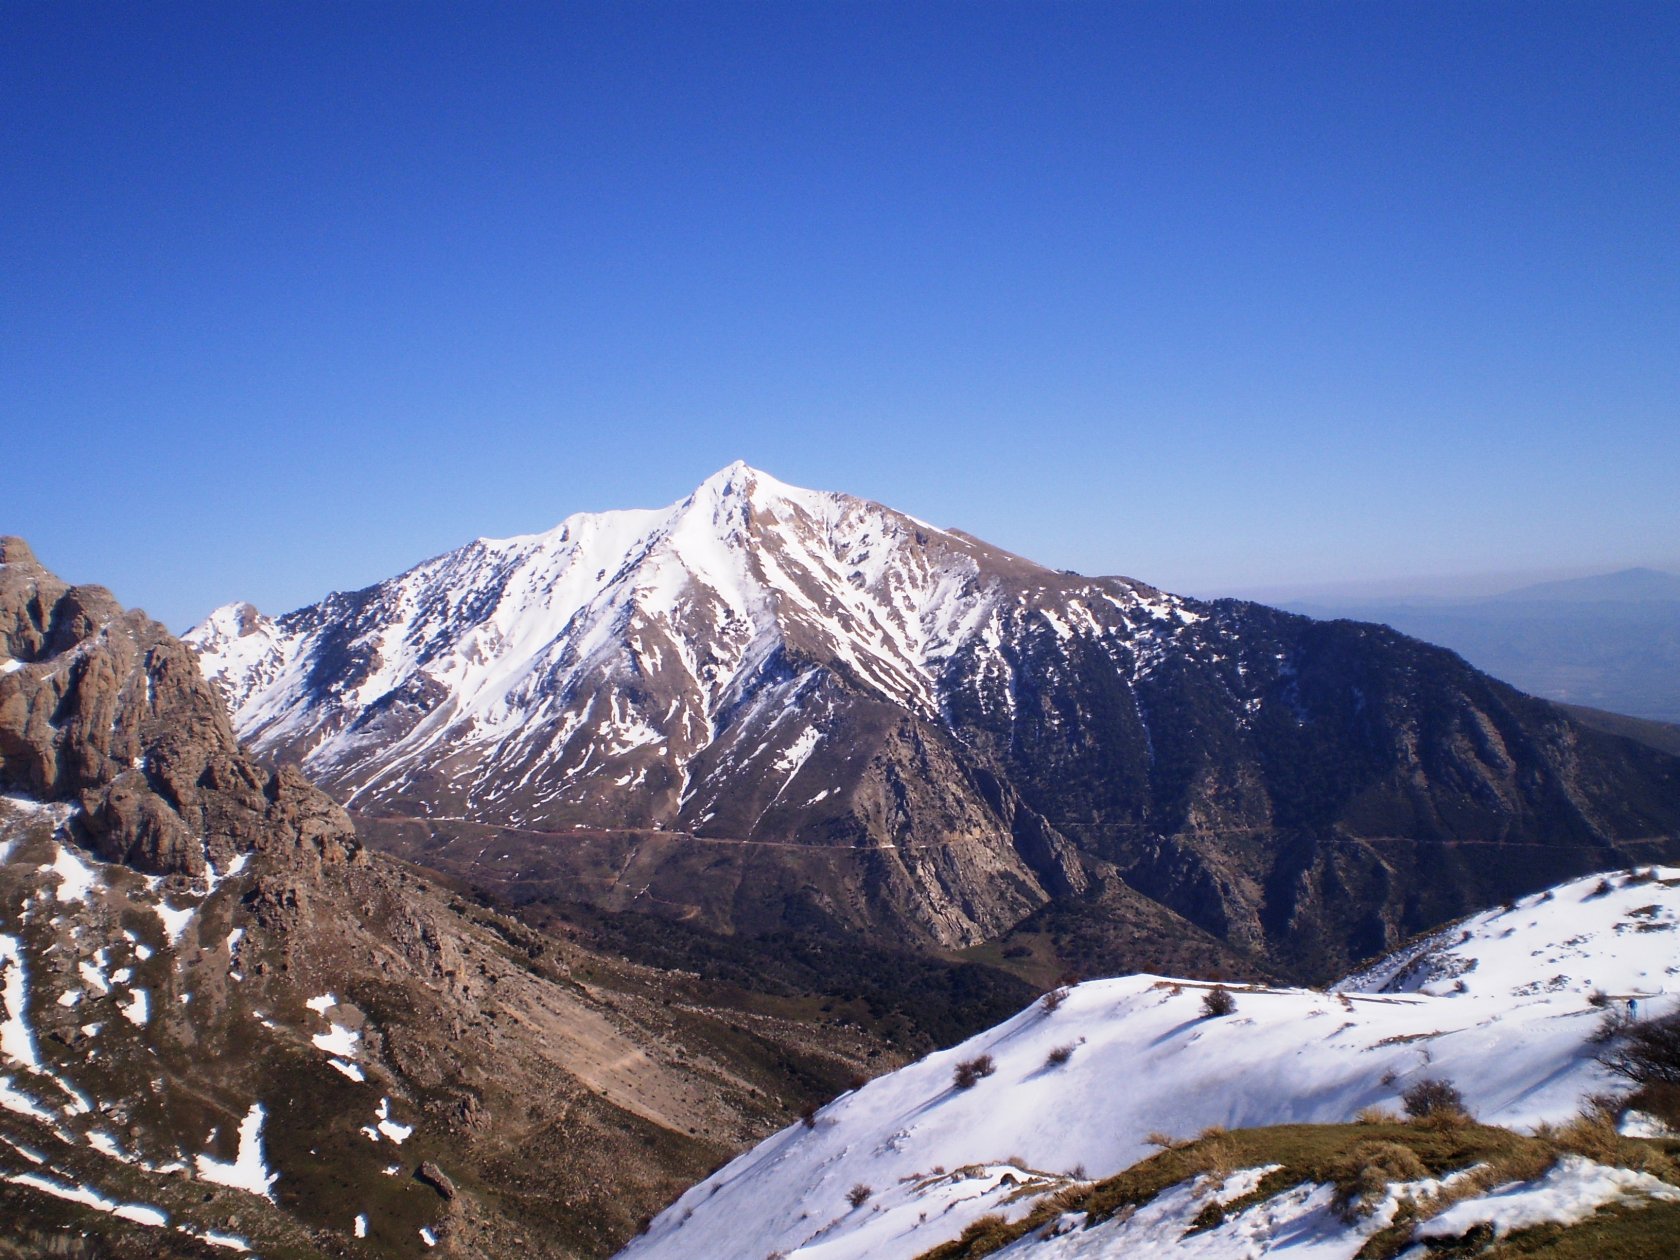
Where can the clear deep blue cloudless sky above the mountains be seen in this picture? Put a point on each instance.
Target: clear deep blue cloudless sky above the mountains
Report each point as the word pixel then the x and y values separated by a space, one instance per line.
pixel 1219 297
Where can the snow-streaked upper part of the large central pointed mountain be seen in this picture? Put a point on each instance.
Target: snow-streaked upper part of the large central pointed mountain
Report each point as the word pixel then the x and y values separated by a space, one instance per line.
pixel 491 658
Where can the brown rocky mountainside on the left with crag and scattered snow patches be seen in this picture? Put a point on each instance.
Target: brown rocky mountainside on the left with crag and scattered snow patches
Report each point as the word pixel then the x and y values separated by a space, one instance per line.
pixel 226 1026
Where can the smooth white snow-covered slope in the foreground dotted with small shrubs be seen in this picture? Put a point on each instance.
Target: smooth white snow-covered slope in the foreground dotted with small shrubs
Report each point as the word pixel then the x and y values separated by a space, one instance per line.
pixel 1503 1005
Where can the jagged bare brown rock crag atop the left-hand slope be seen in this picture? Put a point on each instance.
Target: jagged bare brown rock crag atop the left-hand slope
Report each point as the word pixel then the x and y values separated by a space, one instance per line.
pixel 107 710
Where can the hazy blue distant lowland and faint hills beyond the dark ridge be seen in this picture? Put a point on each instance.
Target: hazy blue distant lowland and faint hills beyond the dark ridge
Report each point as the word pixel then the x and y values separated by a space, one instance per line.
pixel 1607 643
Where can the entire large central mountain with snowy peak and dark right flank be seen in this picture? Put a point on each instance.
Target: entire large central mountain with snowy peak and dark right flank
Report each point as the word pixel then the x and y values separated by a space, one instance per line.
pixel 767 706
